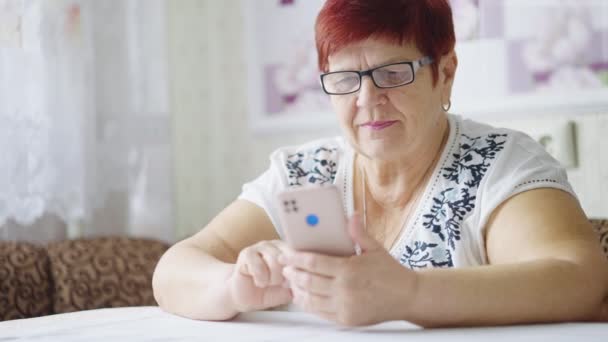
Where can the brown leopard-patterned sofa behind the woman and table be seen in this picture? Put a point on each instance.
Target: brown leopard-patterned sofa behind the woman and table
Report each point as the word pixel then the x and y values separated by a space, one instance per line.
pixel 88 274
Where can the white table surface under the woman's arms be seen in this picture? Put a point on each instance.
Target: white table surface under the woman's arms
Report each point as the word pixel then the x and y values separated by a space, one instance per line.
pixel 152 324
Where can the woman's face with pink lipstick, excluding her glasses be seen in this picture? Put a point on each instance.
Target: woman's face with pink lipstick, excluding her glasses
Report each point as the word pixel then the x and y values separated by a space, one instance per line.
pixel 391 123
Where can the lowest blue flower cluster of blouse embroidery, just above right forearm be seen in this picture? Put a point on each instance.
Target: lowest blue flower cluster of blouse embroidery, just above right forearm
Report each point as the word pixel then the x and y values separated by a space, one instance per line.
pixel 423 254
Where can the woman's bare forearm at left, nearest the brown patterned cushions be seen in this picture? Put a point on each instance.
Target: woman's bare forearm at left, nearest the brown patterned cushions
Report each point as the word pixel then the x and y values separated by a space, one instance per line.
pixel 190 283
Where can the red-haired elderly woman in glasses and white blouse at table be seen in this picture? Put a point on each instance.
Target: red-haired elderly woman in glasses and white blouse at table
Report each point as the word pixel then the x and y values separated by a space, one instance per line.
pixel 460 223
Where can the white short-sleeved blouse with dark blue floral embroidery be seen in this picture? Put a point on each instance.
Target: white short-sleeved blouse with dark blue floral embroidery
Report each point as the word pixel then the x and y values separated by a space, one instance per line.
pixel 480 167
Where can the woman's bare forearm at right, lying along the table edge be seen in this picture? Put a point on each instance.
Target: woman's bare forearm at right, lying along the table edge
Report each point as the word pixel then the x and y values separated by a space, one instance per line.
pixel 539 291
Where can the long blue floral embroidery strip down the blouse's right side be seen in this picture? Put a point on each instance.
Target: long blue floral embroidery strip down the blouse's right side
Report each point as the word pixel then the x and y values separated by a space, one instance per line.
pixel 455 201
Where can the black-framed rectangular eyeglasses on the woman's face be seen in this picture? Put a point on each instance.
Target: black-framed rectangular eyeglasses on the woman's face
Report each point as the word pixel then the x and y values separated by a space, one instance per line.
pixel 385 76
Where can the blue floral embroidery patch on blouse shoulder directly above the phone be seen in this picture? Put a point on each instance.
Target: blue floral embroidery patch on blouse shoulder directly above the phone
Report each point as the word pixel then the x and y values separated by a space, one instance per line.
pixel 315 167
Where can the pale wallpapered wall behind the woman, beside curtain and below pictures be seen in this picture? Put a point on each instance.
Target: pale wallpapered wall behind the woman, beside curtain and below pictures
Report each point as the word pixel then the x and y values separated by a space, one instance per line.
pixel 214 150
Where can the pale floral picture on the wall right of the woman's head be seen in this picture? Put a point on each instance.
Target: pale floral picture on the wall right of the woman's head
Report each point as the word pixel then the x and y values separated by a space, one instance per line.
pixel 522 58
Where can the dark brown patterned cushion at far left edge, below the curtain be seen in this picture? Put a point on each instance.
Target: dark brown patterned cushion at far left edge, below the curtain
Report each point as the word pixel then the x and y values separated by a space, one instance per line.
pixel 25 284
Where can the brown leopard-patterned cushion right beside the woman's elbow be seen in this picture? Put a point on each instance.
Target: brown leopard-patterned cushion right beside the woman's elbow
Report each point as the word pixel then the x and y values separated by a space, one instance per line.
pixel 103 272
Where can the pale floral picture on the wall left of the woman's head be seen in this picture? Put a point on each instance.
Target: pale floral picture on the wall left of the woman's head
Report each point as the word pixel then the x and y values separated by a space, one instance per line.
pixel 284 90
